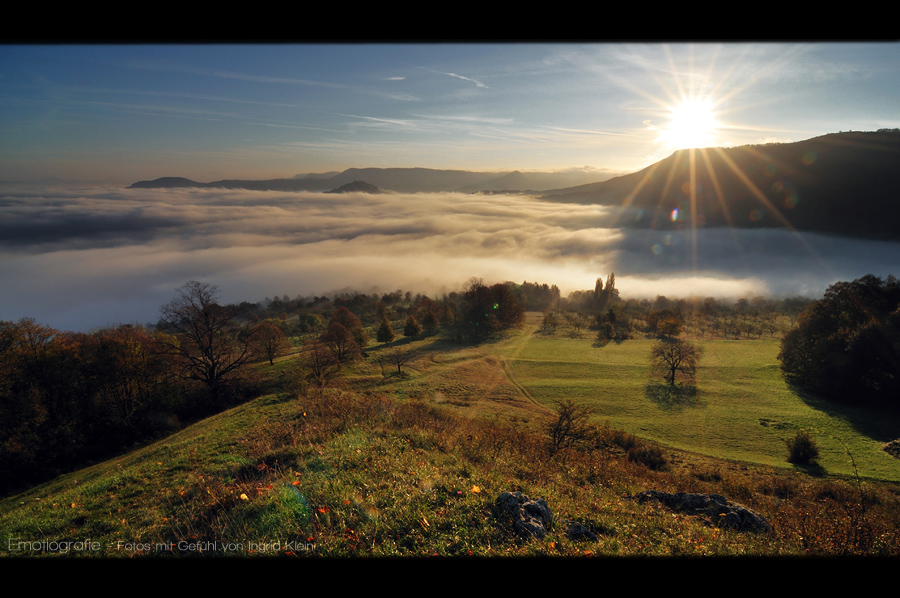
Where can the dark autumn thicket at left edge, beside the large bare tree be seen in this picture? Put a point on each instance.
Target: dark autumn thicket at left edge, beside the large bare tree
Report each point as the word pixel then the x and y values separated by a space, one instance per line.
pixel 66 397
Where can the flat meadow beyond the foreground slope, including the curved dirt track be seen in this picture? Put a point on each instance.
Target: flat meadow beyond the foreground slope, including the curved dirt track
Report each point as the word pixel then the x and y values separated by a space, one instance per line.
pixel 740 408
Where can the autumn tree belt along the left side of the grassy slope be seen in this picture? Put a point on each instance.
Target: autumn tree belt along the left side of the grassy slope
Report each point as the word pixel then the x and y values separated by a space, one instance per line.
pixel 67 398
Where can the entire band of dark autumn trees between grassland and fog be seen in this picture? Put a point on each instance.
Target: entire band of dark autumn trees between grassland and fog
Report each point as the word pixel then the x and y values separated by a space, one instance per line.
pixel 67 398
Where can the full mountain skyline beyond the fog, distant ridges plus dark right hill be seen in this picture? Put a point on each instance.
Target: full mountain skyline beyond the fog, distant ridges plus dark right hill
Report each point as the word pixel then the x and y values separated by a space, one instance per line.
pixel 844 184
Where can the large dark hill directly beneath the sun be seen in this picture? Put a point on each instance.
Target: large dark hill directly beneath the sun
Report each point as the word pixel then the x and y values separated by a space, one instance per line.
pixel 844 183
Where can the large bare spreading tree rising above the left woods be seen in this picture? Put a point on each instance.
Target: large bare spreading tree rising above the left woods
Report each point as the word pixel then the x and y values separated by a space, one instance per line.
pixel 204 336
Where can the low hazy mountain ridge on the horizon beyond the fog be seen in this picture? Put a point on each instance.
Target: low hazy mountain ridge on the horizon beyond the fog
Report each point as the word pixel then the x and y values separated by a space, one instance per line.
pixel 401 180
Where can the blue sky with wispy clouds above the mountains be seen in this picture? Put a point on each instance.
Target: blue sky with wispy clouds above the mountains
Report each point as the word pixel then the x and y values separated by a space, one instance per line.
pixel 117 114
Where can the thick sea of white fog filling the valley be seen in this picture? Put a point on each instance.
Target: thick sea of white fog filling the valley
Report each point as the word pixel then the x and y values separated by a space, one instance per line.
pixel 82 258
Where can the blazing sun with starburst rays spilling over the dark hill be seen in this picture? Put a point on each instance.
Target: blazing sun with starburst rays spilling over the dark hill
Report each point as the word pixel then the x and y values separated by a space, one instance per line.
pixel 690 103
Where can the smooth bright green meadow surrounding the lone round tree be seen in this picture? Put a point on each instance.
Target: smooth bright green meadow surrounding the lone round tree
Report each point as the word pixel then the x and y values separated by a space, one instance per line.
pixel 741 407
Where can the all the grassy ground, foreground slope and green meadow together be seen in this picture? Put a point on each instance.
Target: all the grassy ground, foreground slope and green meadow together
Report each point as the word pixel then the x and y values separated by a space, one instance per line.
pixel 387 463
